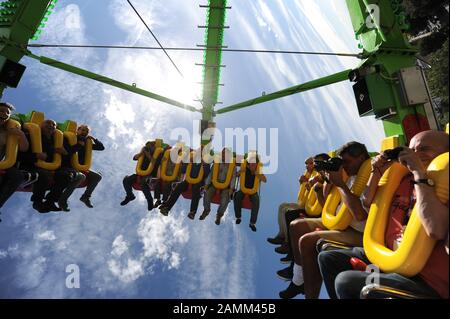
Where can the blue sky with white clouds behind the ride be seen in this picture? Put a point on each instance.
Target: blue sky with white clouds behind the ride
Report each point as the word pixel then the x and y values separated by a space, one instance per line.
pixel 128 252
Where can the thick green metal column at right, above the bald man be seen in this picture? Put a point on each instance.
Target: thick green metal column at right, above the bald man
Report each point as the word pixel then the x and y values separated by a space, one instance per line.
pixel 380 27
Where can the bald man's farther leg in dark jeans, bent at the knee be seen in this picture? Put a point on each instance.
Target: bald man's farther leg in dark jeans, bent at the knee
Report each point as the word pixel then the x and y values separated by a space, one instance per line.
pixel 333 262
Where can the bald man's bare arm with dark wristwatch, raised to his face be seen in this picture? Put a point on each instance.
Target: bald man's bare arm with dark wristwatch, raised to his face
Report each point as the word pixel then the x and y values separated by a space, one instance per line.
pixel 432 212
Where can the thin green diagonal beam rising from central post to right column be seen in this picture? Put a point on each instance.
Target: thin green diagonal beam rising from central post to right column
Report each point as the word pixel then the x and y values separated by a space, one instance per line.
pixel 334 78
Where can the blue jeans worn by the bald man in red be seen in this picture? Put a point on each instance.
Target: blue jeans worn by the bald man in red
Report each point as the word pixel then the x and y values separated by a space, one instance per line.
pixel 342 282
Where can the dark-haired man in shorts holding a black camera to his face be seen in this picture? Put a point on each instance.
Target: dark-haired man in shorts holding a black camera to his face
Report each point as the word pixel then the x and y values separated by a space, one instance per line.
pixel 304 233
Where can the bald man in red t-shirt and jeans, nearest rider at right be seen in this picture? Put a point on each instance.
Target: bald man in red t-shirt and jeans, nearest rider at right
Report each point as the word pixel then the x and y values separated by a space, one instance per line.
pixel 344 283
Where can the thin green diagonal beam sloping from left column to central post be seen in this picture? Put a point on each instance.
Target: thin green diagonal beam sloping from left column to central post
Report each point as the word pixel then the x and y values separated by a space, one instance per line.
pixel 109 81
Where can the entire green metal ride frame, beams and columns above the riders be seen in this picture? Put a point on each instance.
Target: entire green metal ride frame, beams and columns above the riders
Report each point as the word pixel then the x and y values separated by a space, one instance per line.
pixel 385 51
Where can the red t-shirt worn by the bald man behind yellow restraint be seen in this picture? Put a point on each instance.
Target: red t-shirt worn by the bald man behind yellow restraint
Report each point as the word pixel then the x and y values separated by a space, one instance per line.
pixel 435 271
